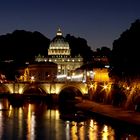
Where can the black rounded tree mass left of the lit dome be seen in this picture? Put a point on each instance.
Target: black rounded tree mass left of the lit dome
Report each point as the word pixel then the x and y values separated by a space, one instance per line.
pixel 22 46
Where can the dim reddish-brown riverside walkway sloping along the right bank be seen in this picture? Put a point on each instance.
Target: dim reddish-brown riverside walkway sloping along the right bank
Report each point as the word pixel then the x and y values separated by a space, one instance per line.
pixel 119 114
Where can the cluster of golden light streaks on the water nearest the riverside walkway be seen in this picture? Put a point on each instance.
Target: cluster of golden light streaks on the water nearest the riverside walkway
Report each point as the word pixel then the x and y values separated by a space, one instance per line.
pixel 88 130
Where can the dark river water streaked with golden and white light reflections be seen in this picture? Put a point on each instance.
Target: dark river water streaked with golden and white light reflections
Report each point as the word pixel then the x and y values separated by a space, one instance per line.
pixel 38 121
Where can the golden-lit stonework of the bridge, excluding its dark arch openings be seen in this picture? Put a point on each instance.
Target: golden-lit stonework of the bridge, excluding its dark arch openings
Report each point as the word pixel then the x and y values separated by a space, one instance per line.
pixel 47 87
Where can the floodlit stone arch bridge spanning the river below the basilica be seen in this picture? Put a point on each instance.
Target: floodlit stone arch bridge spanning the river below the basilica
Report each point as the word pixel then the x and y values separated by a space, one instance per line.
pixel 43 87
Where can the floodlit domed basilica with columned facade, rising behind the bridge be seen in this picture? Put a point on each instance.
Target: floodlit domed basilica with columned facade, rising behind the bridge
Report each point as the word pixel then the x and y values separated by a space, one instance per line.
pixel 59 52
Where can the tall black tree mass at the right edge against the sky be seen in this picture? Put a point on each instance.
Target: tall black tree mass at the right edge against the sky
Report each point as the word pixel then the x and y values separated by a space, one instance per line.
pixel 125 53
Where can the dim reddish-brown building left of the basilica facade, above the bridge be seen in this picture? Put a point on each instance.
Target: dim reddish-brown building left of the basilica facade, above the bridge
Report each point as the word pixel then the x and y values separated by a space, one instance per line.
pixel 39 72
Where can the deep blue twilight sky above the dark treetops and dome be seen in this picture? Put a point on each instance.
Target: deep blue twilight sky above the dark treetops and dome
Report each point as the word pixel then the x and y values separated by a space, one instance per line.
pixel 100 22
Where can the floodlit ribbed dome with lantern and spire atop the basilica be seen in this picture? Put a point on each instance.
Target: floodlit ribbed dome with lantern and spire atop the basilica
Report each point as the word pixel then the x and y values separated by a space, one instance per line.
pixel 59 46
